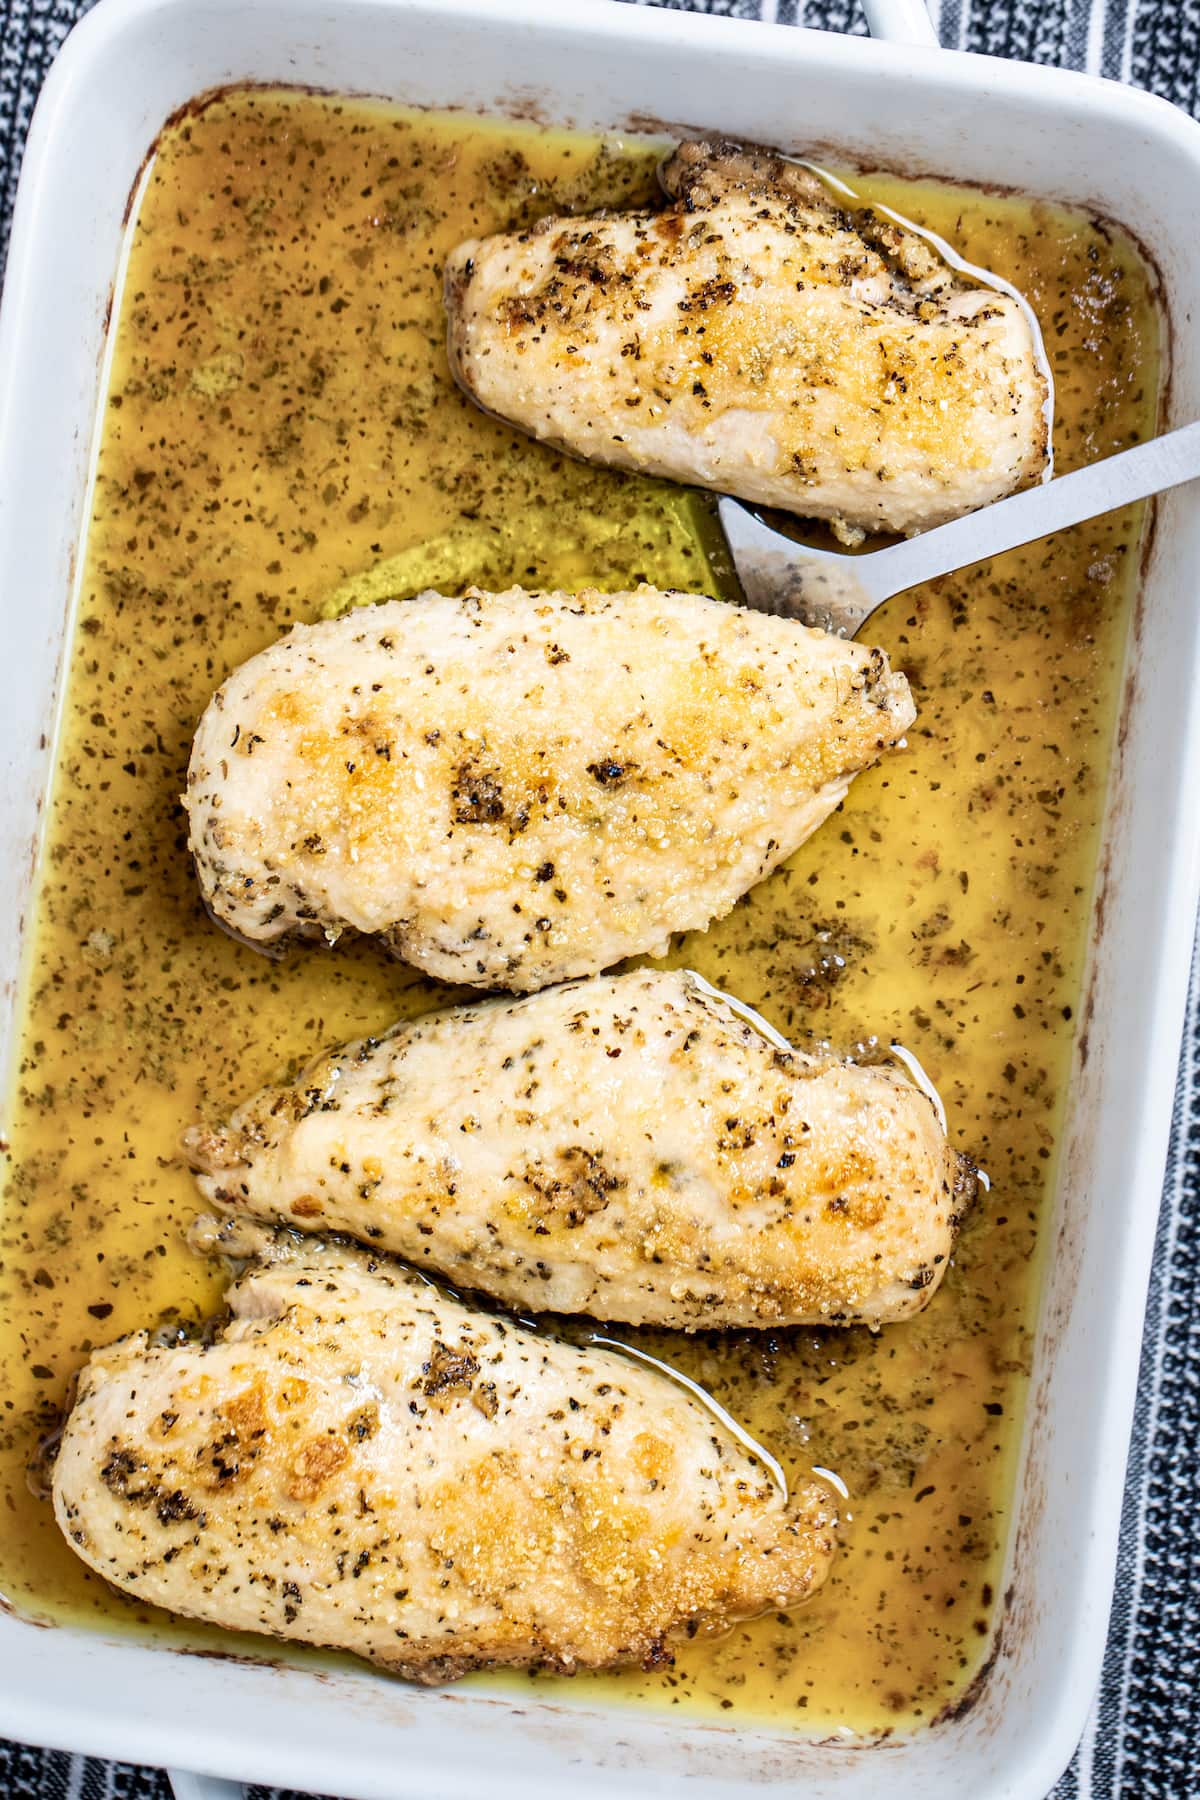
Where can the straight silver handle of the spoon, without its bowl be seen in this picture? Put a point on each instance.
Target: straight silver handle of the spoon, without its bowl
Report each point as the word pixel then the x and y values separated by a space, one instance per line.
pixel 1068 501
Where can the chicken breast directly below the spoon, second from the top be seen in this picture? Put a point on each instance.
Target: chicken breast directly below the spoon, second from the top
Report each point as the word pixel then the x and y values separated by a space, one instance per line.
pixel 514 789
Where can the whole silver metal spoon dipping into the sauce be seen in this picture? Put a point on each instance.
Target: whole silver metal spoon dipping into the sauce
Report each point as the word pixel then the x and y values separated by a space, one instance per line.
pixel 839 591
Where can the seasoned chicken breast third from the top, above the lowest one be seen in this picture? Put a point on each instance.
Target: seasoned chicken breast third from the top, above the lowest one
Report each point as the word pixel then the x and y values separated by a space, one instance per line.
pixel 629 1147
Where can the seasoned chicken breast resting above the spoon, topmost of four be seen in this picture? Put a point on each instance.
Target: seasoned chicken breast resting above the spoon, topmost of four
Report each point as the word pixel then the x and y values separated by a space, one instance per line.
pixel 757 339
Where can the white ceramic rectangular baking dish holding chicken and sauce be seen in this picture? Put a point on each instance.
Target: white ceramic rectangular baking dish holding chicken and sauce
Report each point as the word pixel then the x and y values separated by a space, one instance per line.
pixel 1138 161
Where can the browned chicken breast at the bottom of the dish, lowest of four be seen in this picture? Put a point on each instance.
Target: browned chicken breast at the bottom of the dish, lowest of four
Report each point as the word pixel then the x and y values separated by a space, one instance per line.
pixel 364 1464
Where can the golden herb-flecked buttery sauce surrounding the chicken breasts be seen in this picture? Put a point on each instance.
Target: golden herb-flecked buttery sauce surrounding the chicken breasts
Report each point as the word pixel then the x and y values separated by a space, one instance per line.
pixel 280 418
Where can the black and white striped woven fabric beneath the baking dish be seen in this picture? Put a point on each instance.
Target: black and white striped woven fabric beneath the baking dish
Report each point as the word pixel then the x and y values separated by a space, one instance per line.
pixel 1143 1740
